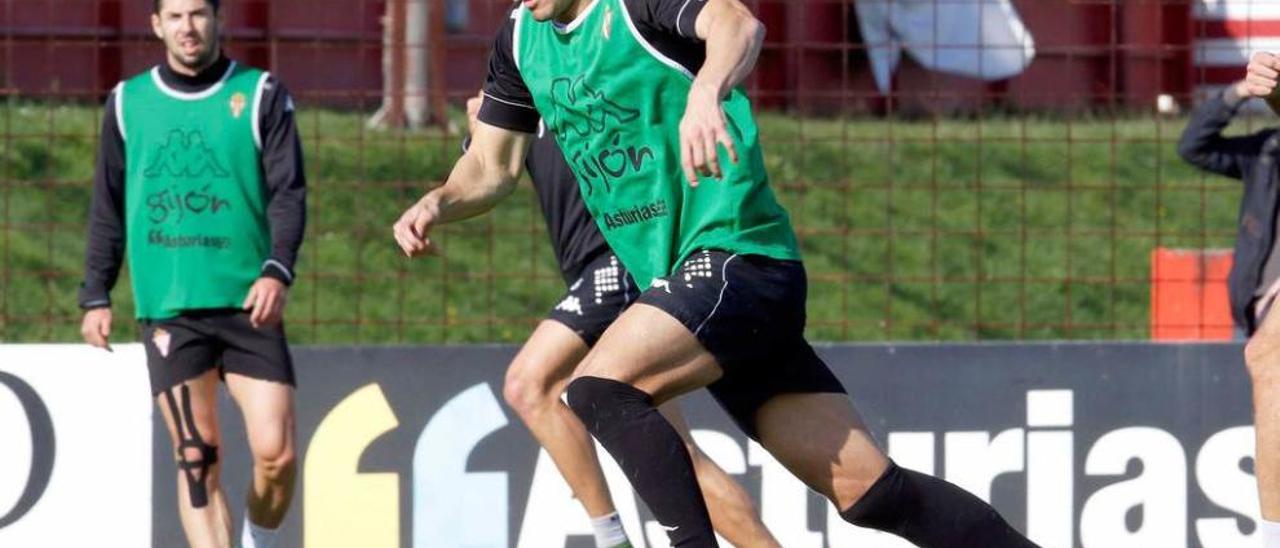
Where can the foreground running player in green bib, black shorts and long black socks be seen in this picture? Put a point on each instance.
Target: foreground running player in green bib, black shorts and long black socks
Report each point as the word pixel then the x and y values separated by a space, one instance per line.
pixel 643 99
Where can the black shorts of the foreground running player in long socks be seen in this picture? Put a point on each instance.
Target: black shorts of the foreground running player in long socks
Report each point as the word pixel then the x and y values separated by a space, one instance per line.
pixel 749 313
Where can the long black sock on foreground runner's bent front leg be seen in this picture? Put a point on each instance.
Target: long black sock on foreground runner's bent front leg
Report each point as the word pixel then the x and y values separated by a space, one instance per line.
pixel 651 454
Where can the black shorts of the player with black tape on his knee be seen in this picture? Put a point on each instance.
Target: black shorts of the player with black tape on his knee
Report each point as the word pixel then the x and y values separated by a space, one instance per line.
pixel 185 348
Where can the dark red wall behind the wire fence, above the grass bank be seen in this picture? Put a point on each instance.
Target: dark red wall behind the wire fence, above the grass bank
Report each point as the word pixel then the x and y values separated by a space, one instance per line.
pixel 1089 54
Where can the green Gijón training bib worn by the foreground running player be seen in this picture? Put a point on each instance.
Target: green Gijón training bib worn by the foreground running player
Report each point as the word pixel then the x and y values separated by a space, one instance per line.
pixel 615 106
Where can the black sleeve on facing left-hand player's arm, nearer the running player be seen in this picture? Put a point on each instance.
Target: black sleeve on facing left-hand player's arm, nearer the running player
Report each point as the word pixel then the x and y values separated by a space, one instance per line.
pixel 286 181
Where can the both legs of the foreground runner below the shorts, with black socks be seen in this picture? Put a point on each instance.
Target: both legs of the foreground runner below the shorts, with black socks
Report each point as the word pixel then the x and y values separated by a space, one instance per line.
pixel 648 357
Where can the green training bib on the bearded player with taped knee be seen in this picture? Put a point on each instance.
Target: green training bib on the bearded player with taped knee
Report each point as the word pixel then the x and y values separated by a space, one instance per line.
pixel 195 202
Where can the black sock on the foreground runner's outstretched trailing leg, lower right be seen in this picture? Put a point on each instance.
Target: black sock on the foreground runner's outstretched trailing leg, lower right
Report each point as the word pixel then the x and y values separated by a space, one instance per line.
pixel 931 513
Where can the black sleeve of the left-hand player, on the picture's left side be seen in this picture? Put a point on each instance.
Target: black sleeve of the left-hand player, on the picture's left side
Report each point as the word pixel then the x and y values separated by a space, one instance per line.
pixel 104 253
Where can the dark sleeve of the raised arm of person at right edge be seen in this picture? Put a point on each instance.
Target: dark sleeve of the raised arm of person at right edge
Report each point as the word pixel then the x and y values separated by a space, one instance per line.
pixel 1204 147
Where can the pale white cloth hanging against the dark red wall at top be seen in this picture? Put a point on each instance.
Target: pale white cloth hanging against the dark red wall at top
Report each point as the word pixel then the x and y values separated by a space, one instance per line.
pixel 980 39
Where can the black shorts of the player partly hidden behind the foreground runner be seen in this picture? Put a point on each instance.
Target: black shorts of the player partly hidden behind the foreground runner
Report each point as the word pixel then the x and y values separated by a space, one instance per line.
pixel 597 299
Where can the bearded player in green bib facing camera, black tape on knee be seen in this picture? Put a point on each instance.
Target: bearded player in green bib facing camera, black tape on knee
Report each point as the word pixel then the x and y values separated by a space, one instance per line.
pixel 200 184
